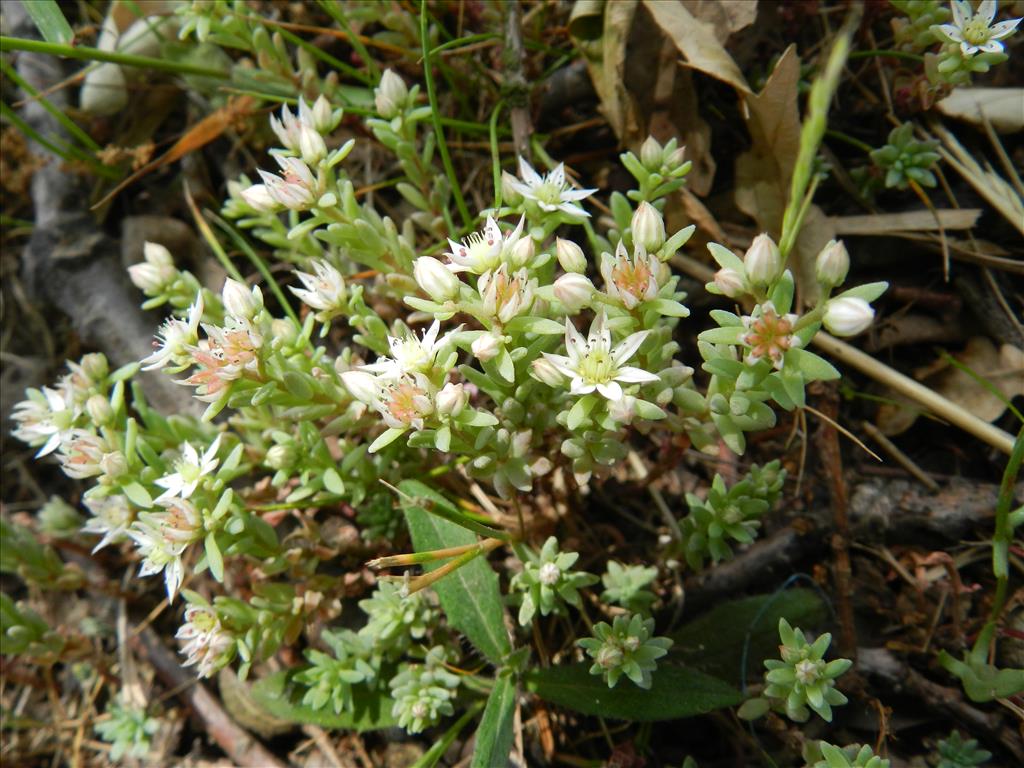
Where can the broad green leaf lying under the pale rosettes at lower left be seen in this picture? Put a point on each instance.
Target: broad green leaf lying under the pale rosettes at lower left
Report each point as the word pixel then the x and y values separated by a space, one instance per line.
pixel 281 699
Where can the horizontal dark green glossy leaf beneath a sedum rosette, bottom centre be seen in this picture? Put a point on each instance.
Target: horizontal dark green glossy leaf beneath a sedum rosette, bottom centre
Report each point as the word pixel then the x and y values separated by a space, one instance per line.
pixel 676 693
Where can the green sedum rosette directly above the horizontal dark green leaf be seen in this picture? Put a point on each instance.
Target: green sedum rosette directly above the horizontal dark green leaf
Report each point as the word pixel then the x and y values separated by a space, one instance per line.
pixel 626 648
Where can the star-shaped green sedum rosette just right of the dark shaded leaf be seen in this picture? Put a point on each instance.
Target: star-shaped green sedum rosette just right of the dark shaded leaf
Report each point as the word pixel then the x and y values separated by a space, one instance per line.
pixel 801 681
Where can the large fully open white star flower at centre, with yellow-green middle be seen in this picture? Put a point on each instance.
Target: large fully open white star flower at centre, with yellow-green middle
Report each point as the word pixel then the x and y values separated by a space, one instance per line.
pixel 593 364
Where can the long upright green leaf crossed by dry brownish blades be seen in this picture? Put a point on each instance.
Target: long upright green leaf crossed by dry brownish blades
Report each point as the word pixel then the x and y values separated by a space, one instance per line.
pixel 471 596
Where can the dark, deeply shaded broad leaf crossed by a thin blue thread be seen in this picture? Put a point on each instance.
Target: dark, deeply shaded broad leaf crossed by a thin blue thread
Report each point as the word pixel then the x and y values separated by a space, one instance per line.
pixel 714 643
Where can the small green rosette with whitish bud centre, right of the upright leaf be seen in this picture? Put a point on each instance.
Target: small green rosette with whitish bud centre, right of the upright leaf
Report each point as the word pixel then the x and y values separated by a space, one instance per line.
pixel 547 582
